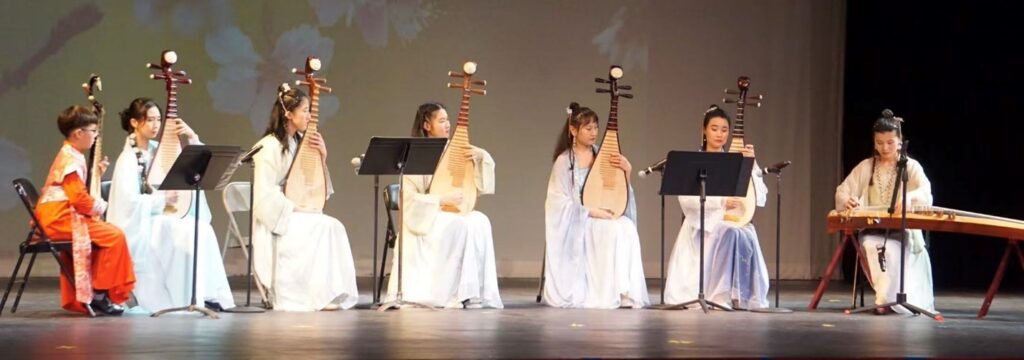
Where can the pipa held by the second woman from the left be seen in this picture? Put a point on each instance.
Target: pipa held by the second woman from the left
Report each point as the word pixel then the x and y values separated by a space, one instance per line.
pixel 307 184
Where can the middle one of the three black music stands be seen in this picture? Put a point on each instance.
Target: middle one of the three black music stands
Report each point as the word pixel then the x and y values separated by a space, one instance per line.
pixel 402 156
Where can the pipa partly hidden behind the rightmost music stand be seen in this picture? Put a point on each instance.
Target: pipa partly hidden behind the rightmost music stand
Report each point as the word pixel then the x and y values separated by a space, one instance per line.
pixel 742 217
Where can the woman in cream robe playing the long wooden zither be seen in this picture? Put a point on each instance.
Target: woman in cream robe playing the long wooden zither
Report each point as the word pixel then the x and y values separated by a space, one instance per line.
pixel 872 185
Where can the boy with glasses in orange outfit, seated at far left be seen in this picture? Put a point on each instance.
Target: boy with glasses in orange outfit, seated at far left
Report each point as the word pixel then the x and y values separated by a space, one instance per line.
pixel 101 262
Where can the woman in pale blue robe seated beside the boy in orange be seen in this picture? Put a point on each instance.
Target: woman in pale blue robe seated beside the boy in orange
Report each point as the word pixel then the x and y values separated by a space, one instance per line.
pixel 162 246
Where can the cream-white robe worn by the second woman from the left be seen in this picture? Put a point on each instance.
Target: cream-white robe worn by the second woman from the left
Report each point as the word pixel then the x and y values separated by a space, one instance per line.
pixel 303 259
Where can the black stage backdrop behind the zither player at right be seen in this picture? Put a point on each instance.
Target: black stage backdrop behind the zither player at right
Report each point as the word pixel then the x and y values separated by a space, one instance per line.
pixel 952 72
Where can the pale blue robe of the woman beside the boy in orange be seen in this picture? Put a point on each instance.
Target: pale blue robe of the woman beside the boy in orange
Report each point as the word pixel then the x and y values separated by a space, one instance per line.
pixel 162 246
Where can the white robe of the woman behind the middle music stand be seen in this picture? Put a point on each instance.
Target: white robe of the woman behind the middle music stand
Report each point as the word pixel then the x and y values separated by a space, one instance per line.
pixel 449 258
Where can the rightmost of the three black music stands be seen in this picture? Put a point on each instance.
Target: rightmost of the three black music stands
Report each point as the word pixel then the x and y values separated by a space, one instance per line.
pixel 688 173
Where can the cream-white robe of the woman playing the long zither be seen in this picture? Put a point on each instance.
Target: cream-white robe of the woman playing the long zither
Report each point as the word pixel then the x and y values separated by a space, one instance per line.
pixel 919 266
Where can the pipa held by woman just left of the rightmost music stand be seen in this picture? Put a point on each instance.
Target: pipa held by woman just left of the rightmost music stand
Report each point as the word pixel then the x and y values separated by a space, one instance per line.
pixel 607 187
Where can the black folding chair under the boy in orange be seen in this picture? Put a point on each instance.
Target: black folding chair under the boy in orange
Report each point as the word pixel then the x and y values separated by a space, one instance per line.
pixel 37 242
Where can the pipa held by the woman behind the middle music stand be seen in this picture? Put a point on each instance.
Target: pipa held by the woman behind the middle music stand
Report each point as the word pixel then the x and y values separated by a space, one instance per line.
pixel 456 171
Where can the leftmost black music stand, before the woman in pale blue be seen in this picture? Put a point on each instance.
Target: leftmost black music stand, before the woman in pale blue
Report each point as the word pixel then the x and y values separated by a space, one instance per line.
pixel 200 168
